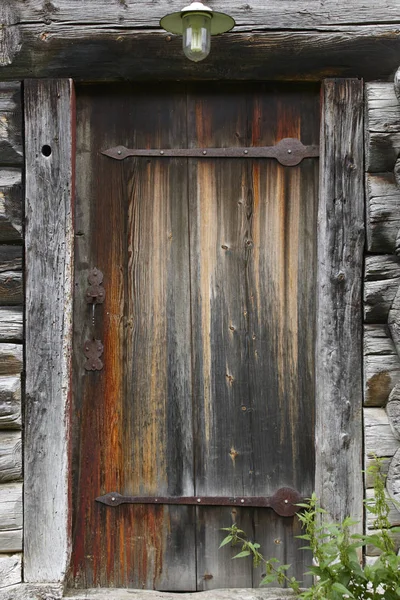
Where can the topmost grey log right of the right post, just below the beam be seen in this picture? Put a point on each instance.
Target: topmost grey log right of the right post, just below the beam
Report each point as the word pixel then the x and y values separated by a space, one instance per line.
pixel 382 107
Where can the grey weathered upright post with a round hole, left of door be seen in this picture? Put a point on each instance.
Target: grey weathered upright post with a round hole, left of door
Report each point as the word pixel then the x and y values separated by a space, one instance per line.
pixel 49 119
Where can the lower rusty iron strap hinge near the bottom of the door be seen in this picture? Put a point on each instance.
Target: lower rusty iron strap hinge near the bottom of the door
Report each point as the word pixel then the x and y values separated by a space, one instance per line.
pixel 283 502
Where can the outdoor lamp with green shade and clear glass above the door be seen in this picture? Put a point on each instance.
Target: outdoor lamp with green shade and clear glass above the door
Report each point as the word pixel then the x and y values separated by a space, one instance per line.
pixel 197 23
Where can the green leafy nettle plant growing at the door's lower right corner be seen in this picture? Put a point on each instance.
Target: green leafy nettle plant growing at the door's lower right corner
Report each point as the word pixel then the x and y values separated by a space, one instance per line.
pixel 337 570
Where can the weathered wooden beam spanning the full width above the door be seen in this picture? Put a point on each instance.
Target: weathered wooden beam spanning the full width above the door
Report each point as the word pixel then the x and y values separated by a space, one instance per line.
pixel 122 40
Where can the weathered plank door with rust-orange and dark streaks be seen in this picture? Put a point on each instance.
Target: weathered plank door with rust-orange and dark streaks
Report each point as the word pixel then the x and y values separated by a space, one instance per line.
pixel 208 330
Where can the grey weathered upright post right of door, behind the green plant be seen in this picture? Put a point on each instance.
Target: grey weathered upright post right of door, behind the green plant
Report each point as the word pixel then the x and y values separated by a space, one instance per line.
pixel 339 335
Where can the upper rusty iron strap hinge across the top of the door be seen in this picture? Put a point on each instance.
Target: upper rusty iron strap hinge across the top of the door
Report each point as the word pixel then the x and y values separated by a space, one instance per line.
pixel 288 152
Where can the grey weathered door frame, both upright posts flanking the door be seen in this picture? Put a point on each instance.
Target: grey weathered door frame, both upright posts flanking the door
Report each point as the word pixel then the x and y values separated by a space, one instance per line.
pixel 49 232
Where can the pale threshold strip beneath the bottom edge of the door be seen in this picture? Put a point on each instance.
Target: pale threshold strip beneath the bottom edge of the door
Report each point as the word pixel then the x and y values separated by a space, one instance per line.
pixel 221 594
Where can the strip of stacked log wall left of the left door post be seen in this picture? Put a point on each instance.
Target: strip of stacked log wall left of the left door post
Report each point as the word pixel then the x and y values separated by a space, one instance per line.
pixel 11 331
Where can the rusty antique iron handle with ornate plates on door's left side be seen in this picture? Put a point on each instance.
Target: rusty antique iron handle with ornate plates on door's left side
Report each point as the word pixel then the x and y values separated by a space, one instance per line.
pixel 95 294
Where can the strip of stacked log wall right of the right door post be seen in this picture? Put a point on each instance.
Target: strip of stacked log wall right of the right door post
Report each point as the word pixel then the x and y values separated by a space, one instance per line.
pixel 382 291
